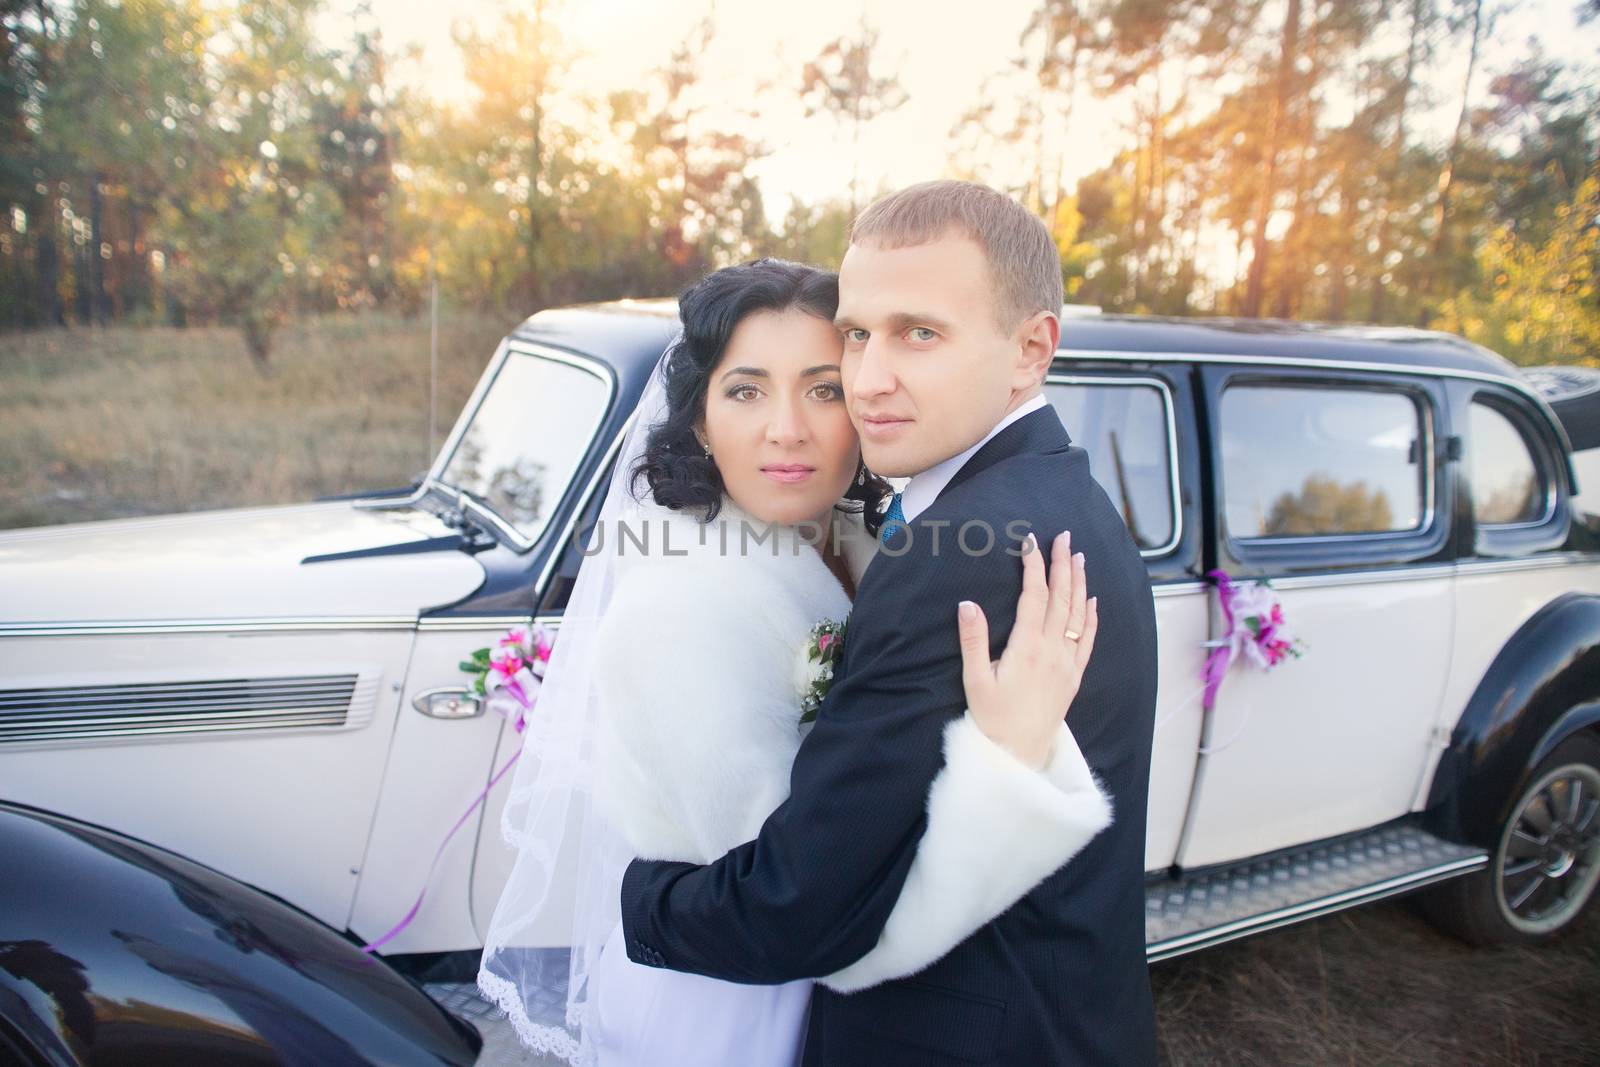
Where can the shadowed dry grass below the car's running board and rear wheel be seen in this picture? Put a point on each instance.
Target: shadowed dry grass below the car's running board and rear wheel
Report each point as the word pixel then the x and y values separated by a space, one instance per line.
pixel 1380 988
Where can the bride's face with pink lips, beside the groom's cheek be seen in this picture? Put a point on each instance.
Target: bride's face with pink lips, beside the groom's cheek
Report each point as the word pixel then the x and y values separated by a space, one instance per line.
pixel 777 422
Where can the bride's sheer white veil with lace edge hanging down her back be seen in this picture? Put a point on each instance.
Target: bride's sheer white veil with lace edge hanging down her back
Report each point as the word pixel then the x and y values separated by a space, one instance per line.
pixel 562 900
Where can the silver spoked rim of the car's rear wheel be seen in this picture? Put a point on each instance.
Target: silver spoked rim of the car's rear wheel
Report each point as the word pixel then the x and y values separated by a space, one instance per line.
pixel 1551 855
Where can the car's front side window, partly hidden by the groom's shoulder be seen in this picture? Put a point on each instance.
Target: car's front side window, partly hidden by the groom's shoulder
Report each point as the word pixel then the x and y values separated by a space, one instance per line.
pixel 1126 430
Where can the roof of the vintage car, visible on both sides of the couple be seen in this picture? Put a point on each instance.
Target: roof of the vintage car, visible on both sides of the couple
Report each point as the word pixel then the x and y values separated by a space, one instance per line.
pixel 630 334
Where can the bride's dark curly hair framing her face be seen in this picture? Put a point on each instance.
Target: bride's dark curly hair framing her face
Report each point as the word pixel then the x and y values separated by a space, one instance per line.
pixel 678 470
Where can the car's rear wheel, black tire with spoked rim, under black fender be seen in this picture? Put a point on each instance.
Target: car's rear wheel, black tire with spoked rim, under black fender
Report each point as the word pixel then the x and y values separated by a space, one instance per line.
pixel 1546 863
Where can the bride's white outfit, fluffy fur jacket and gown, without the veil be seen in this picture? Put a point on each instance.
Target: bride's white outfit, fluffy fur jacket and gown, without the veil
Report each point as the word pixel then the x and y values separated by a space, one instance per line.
pixel 698 730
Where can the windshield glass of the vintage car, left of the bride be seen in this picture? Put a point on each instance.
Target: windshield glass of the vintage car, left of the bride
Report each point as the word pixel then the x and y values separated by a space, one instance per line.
pixel 527 439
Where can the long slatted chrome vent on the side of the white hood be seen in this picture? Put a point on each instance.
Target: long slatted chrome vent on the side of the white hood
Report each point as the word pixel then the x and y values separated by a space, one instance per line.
pixel 178 708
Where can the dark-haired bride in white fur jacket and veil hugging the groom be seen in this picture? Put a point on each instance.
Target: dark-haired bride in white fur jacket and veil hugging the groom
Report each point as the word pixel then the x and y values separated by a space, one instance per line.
pixel 697 642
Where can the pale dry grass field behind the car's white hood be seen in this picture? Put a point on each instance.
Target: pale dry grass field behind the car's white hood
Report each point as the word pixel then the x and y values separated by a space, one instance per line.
pixel 129 422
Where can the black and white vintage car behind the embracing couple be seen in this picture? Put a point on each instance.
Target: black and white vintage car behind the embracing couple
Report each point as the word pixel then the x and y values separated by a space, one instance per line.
pixel 276 693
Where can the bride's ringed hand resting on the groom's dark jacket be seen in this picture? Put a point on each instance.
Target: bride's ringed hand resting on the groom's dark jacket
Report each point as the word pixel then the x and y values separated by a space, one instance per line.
pixel 1022 698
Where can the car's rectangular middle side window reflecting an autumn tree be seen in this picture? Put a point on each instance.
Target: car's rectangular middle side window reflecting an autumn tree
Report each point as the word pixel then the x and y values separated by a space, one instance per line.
pixel 1303 462
